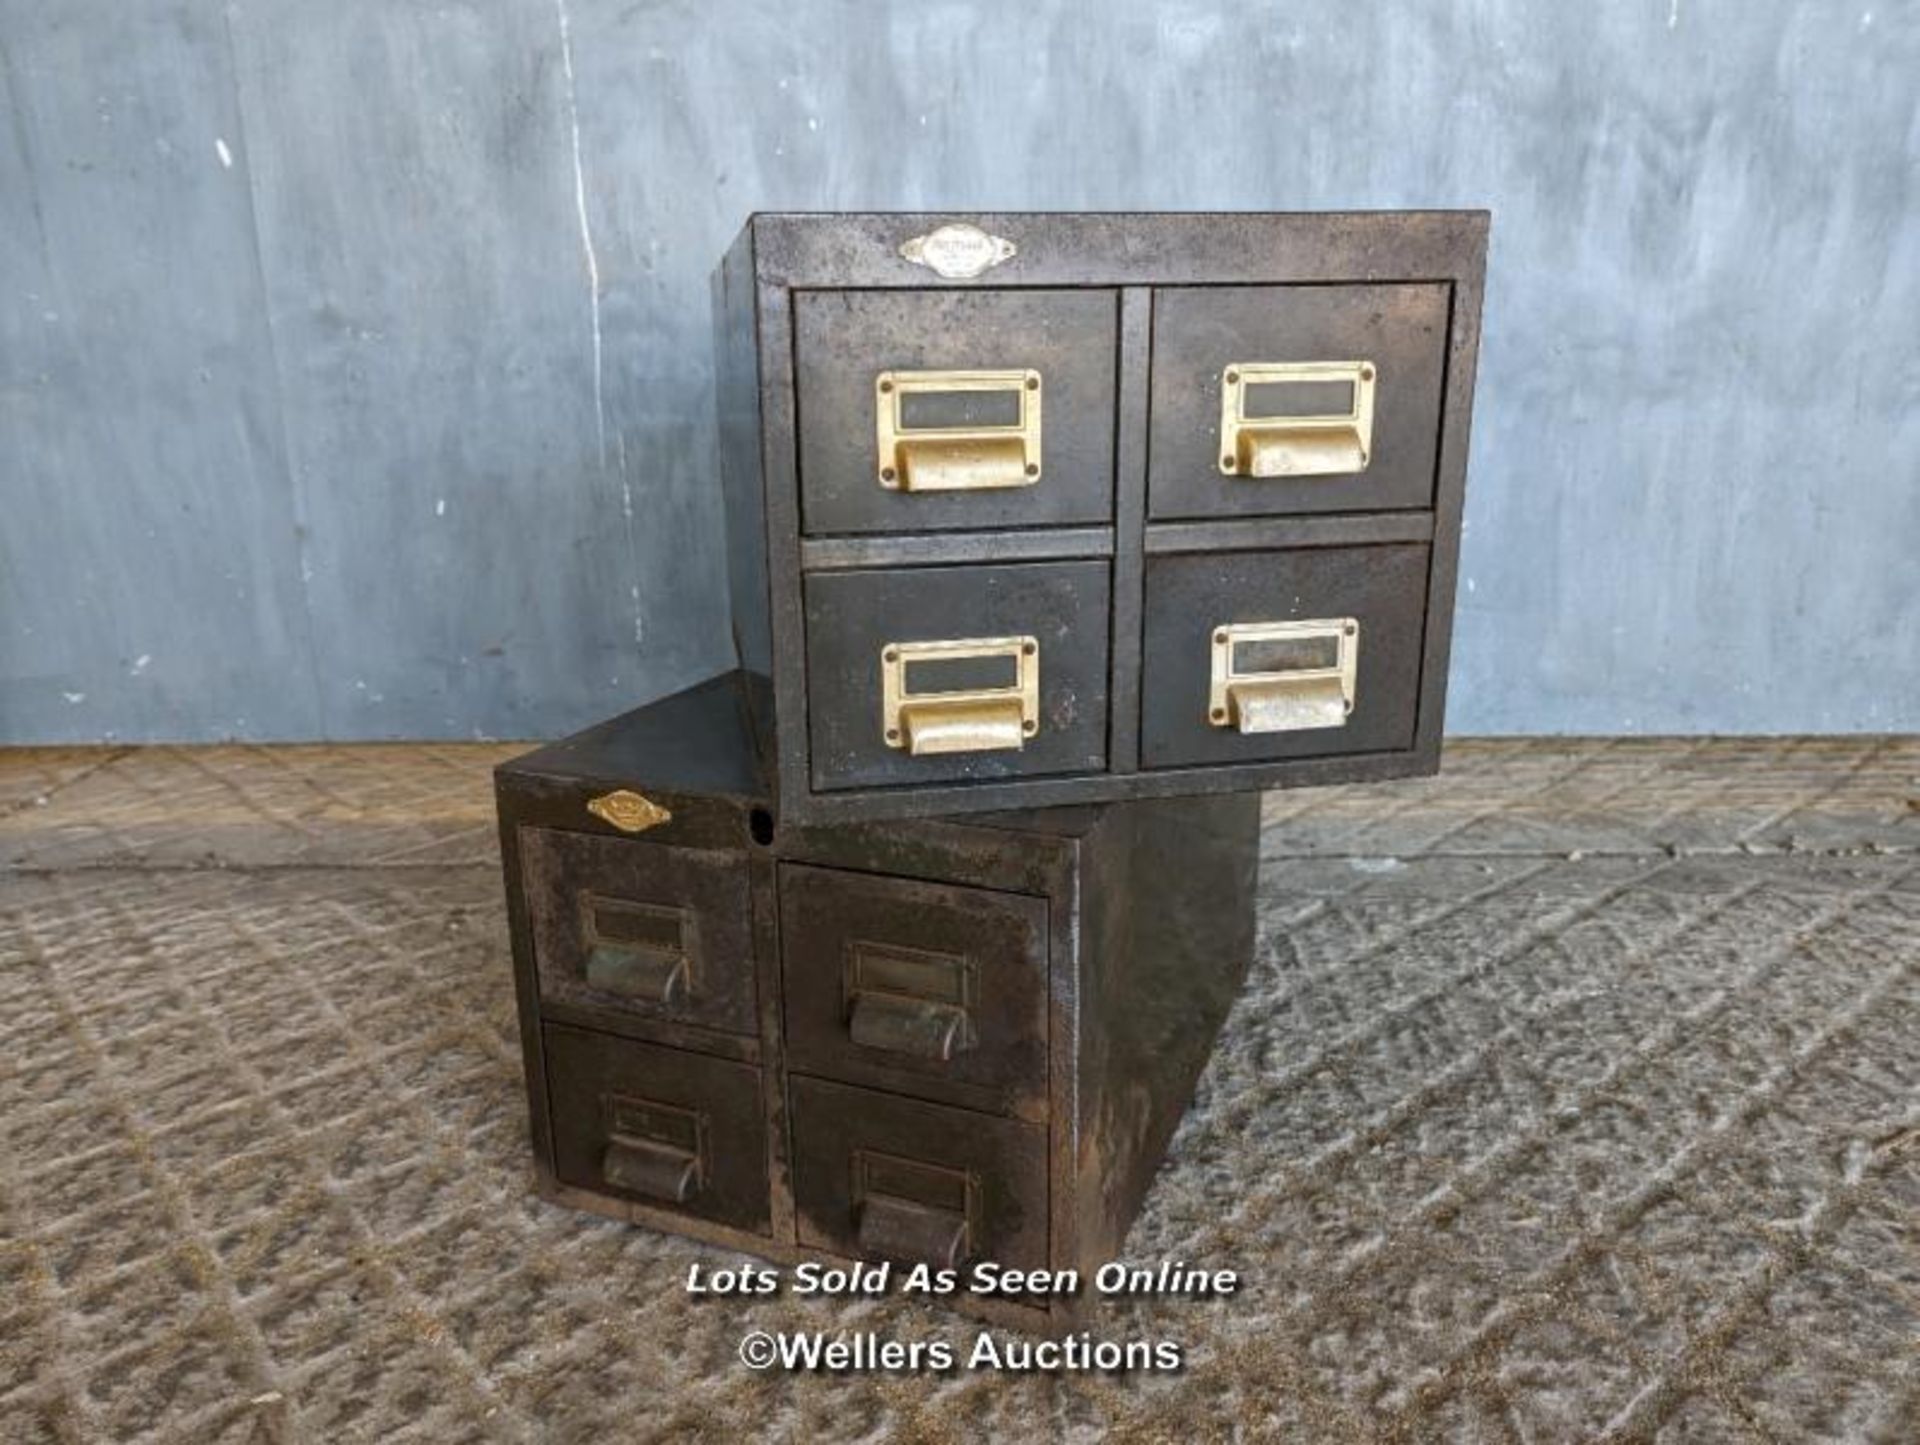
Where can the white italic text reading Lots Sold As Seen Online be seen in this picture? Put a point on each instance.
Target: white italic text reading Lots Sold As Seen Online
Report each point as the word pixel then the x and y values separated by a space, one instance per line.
pixel 984 1279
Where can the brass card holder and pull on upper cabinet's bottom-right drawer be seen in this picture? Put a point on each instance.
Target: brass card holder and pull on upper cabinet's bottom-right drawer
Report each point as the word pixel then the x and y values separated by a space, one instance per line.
pixel 1284 676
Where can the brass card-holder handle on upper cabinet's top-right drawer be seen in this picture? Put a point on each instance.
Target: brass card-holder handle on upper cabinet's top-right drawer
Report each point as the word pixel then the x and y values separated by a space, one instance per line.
pixel 1291 442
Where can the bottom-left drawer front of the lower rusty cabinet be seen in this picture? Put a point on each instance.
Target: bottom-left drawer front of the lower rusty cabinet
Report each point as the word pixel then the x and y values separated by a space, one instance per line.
pixel 660 1125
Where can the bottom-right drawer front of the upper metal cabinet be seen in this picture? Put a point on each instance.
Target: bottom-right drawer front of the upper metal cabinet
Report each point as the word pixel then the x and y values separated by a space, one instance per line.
pixel 1301 653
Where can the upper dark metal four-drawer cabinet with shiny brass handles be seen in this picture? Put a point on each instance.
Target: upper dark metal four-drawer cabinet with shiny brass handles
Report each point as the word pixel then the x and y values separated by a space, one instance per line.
pixel 1040 509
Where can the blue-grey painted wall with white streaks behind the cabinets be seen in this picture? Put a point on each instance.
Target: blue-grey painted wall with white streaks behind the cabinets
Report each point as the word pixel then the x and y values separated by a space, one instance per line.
pixel 354 356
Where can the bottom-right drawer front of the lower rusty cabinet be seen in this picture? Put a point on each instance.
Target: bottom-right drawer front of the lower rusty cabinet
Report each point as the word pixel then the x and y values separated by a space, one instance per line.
pixel 884 1177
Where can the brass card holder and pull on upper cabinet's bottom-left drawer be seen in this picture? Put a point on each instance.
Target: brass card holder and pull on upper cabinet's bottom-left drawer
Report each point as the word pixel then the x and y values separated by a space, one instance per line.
pixel 961 721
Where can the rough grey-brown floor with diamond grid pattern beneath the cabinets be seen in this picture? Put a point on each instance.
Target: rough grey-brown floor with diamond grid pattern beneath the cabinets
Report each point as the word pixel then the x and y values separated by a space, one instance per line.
pixel 1577 1095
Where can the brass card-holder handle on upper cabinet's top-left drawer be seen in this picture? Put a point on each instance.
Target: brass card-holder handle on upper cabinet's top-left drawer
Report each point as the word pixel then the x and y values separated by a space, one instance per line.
pixel 957 458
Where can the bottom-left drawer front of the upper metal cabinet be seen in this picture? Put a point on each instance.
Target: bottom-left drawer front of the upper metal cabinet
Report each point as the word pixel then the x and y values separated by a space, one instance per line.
pixel 990 671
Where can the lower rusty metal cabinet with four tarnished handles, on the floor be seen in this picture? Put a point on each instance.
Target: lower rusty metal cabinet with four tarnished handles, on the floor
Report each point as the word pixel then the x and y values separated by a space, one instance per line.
pixel 938 1041
